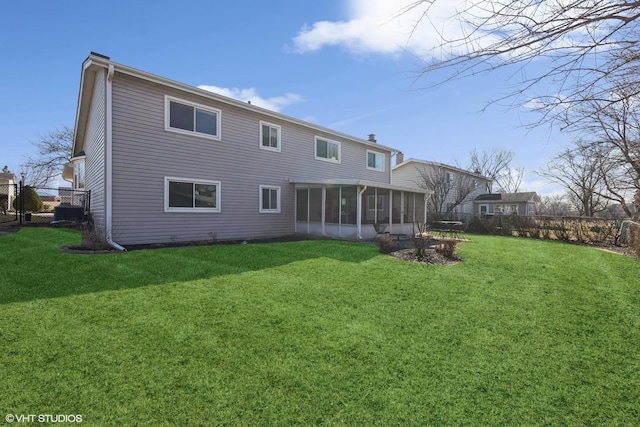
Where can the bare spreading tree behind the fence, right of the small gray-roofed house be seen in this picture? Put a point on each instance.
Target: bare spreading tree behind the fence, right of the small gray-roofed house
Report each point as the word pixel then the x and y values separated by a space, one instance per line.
pixel 580 172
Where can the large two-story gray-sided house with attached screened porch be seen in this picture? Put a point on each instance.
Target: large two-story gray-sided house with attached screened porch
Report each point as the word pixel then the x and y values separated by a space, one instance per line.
pixel 168 162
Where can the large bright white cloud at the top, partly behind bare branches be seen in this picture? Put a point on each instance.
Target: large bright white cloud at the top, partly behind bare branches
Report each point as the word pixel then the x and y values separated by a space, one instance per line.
pixel 396 26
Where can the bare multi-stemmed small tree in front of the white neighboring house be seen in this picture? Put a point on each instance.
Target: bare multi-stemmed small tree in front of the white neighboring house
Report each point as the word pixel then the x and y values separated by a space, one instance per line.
pixel 449 189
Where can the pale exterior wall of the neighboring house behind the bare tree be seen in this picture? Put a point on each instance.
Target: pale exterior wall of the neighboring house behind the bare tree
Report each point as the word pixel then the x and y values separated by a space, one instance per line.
pixel 408 174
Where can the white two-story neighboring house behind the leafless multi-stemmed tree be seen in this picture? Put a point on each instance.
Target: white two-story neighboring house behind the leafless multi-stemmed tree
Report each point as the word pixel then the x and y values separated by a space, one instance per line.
pixel 450 182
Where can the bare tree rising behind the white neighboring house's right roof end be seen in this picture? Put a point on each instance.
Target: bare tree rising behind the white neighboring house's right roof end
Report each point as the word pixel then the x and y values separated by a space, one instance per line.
pixel 496 165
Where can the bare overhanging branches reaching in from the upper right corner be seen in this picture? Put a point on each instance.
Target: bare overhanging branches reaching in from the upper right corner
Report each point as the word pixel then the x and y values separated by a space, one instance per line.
pixel 581 47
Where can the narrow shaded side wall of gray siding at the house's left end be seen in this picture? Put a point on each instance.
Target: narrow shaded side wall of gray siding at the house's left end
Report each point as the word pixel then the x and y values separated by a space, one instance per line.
pixel 95 151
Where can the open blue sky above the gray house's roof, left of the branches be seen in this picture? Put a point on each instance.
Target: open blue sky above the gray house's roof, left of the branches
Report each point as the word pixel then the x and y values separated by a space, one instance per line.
pixel 340 64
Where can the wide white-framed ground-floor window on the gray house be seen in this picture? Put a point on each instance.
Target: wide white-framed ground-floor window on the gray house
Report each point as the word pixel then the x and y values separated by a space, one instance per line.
pixel 185 195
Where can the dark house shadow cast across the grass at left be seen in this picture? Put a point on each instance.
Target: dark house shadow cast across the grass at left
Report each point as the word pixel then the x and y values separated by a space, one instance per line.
pixel 33 267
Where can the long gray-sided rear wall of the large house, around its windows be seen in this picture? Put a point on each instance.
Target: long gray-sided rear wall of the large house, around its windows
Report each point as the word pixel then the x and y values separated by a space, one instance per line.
pixel 144 153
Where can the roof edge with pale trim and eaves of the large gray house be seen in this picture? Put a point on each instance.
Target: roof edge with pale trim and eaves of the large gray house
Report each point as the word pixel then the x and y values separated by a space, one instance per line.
pixel 97 61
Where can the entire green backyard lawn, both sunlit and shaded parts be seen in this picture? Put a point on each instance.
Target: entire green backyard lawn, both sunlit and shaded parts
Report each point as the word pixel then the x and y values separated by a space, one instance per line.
pixel 523 332
